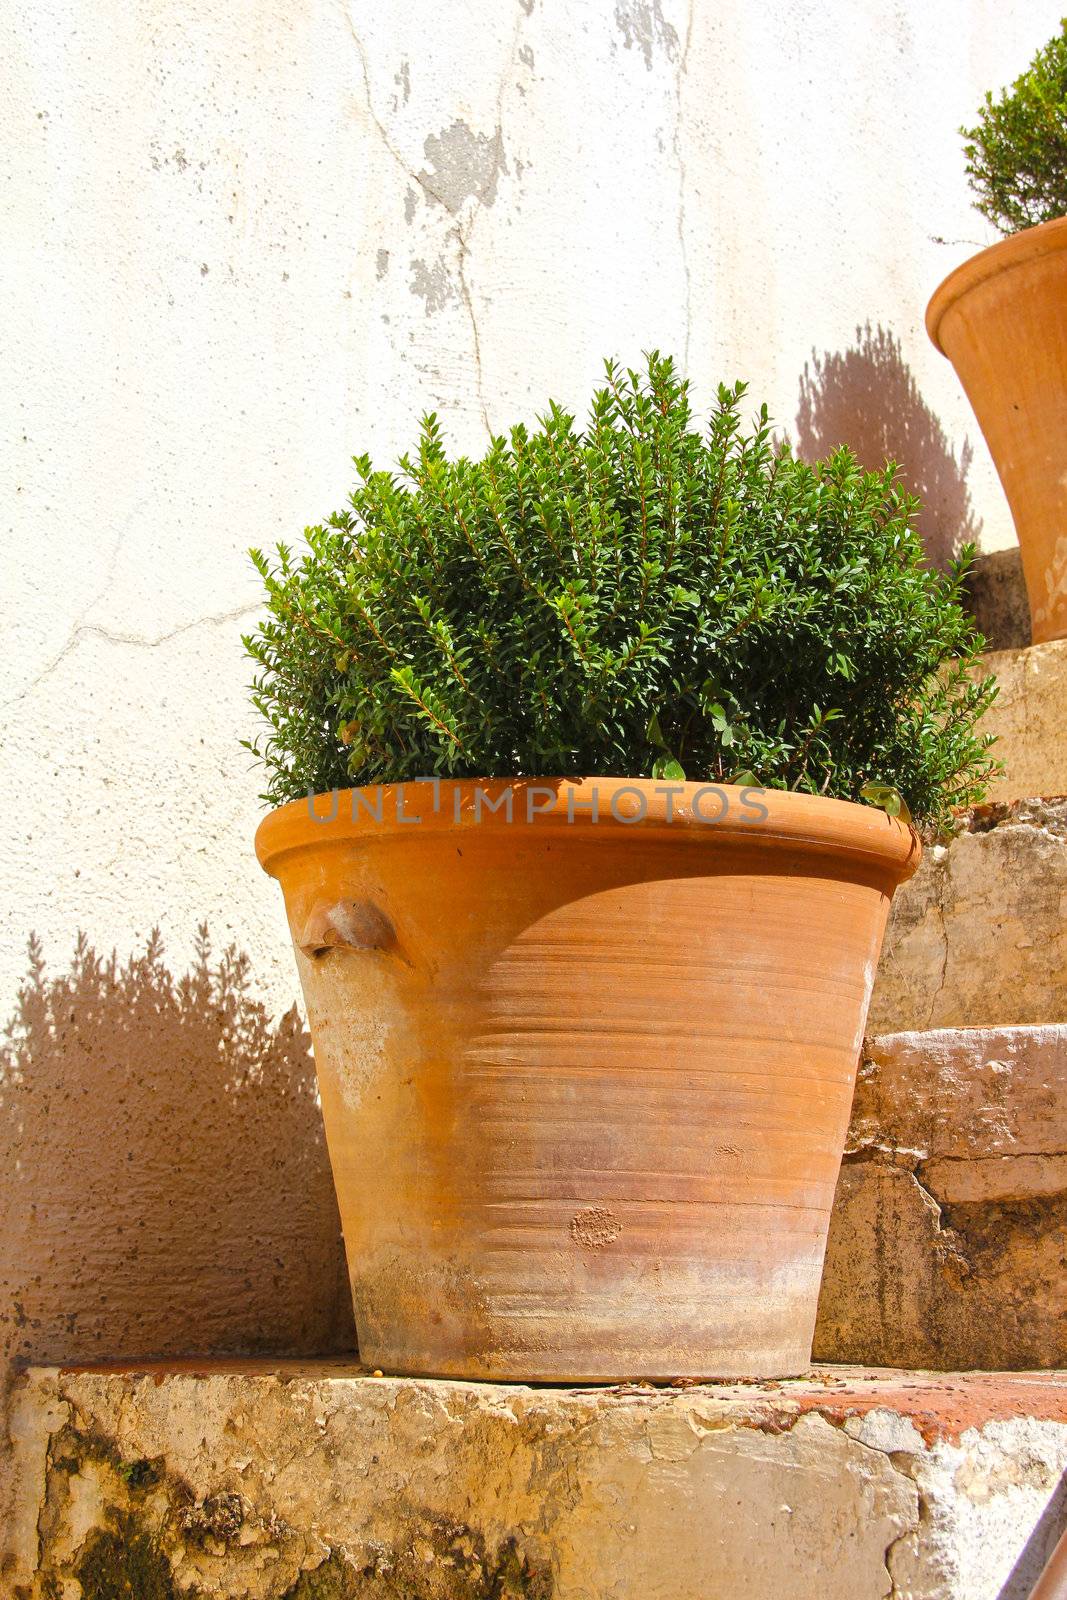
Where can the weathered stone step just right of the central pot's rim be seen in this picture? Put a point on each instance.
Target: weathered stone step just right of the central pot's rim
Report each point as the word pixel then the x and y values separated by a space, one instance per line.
pixel 980 935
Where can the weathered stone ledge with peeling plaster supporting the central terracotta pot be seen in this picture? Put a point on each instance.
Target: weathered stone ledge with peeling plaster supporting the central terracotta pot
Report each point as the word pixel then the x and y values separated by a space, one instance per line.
pixel 322 1484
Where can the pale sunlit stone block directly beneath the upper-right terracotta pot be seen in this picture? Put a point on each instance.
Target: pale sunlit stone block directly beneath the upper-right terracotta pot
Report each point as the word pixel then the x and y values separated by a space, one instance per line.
pixel 1029 719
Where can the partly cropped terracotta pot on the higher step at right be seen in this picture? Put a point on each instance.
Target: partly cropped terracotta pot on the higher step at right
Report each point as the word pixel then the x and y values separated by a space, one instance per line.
pixel 1002 321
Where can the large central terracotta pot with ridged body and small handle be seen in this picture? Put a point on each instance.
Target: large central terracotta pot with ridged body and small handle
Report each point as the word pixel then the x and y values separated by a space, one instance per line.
pixel 586 1079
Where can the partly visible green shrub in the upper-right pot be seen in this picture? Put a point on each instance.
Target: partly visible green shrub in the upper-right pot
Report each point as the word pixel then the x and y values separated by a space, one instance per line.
pixel 1017 154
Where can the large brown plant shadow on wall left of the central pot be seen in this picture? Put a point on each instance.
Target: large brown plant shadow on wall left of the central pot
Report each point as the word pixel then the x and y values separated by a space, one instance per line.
pixel 166 1180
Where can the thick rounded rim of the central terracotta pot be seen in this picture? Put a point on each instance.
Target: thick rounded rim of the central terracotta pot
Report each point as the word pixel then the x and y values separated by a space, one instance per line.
pixel 697 814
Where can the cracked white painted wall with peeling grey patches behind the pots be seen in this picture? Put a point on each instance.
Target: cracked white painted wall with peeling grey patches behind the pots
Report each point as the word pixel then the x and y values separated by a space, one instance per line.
pixel 246 241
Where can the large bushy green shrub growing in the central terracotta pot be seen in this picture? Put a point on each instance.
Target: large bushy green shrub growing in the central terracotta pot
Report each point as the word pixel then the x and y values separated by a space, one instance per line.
pixel 634 598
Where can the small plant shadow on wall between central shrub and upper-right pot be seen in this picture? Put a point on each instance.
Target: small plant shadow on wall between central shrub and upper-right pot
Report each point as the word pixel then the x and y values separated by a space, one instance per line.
pixel 868 398
